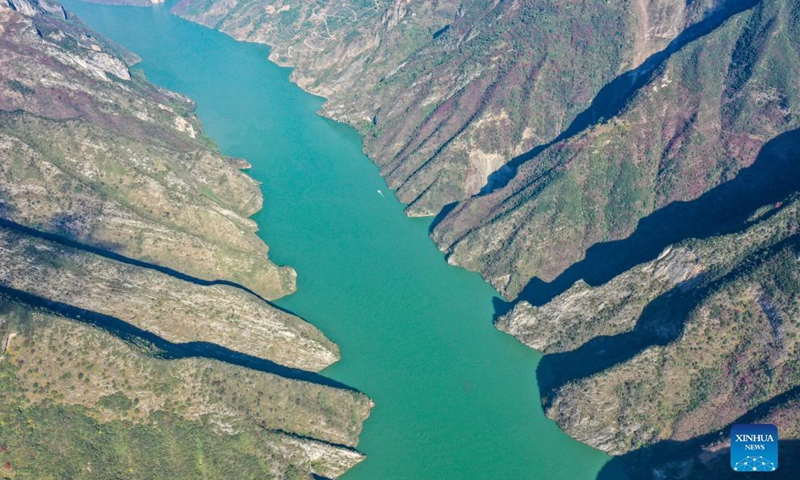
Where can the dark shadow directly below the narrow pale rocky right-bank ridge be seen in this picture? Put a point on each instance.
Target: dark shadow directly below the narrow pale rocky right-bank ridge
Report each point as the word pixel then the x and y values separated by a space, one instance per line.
pixel 661 323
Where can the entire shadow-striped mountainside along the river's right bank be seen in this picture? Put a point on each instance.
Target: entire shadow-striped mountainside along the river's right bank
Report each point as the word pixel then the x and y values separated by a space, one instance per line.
pixel 625 175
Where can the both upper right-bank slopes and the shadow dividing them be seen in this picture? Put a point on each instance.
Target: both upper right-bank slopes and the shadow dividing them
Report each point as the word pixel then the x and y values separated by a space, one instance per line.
pixel 543 127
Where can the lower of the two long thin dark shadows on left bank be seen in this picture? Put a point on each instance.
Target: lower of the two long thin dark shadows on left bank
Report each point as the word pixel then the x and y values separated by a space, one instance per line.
pixel 164 349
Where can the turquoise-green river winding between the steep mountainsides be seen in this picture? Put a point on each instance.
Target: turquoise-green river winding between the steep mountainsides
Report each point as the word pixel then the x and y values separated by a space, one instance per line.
pixel 456 399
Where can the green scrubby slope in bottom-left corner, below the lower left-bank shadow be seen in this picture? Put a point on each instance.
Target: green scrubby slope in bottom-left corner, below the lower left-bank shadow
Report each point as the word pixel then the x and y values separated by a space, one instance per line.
pixel 77 401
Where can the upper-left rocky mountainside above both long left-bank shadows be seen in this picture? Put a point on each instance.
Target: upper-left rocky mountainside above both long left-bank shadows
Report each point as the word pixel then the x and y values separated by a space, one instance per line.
pixel 114 162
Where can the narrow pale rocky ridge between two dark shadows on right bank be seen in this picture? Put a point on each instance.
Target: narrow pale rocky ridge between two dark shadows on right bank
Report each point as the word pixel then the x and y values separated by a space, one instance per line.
pixel 583 312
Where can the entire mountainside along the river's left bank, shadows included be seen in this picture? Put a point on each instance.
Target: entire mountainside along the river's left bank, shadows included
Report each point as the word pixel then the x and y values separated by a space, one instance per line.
pixel 136 334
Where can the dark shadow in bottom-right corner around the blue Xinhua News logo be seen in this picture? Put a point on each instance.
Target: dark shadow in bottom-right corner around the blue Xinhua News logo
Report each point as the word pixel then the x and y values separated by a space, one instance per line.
pixel 668 457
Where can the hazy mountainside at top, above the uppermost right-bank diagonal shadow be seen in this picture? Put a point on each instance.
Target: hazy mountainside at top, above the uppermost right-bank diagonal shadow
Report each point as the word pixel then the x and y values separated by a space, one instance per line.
pixel 447 92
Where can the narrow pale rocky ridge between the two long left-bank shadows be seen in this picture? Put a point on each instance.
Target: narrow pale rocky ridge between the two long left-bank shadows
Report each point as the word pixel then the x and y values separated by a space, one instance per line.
pixel 178 311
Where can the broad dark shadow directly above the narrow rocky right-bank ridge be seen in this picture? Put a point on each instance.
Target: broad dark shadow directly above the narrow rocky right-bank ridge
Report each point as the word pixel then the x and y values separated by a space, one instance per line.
pixel 773 176
